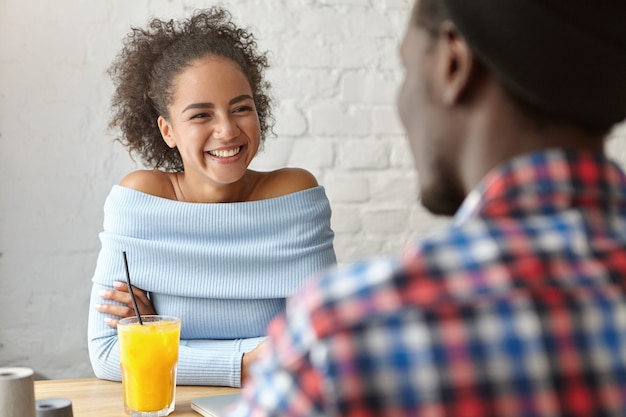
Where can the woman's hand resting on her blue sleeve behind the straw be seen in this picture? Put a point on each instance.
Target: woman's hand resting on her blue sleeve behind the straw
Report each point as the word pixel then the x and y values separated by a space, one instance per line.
pixel 120 294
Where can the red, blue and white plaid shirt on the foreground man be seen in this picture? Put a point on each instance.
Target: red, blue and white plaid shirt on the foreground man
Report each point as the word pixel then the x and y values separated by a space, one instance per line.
pixel 517 309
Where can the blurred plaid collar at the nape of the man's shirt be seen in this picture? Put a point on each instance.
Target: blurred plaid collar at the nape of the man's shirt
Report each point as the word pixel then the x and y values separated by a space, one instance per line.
pixel 544 181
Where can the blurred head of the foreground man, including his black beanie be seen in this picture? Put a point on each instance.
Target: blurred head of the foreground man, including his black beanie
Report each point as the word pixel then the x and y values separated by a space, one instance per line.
pixel 558 62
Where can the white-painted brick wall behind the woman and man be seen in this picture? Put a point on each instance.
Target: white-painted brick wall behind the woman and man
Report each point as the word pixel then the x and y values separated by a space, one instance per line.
pixel 335 74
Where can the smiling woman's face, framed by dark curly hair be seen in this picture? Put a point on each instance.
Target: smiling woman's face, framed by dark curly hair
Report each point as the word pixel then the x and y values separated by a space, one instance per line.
pixel 213 120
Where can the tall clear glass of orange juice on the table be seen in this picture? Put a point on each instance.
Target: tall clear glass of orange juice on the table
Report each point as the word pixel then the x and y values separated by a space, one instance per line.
pixel 148 357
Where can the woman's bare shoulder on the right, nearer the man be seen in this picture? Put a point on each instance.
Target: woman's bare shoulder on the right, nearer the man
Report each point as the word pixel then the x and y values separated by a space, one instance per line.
pixel 284 181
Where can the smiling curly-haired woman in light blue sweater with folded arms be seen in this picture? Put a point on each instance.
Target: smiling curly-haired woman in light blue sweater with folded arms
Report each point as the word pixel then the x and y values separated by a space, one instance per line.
pixel 208 239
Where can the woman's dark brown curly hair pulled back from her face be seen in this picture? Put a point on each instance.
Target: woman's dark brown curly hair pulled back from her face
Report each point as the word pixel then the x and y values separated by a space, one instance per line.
pixel 145 69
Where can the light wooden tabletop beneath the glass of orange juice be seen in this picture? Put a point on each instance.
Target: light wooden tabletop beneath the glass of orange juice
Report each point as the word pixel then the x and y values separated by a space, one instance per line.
pixel 93 397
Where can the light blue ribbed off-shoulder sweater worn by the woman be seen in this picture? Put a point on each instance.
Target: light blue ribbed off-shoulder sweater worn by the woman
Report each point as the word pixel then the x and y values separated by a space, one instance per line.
pixel 225 269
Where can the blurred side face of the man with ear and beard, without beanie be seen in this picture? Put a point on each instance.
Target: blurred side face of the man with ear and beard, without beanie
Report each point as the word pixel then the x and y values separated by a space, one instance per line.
pixel 423 101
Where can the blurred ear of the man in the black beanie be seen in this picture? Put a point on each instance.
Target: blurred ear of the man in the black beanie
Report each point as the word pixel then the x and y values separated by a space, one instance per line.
pixel 457 65
